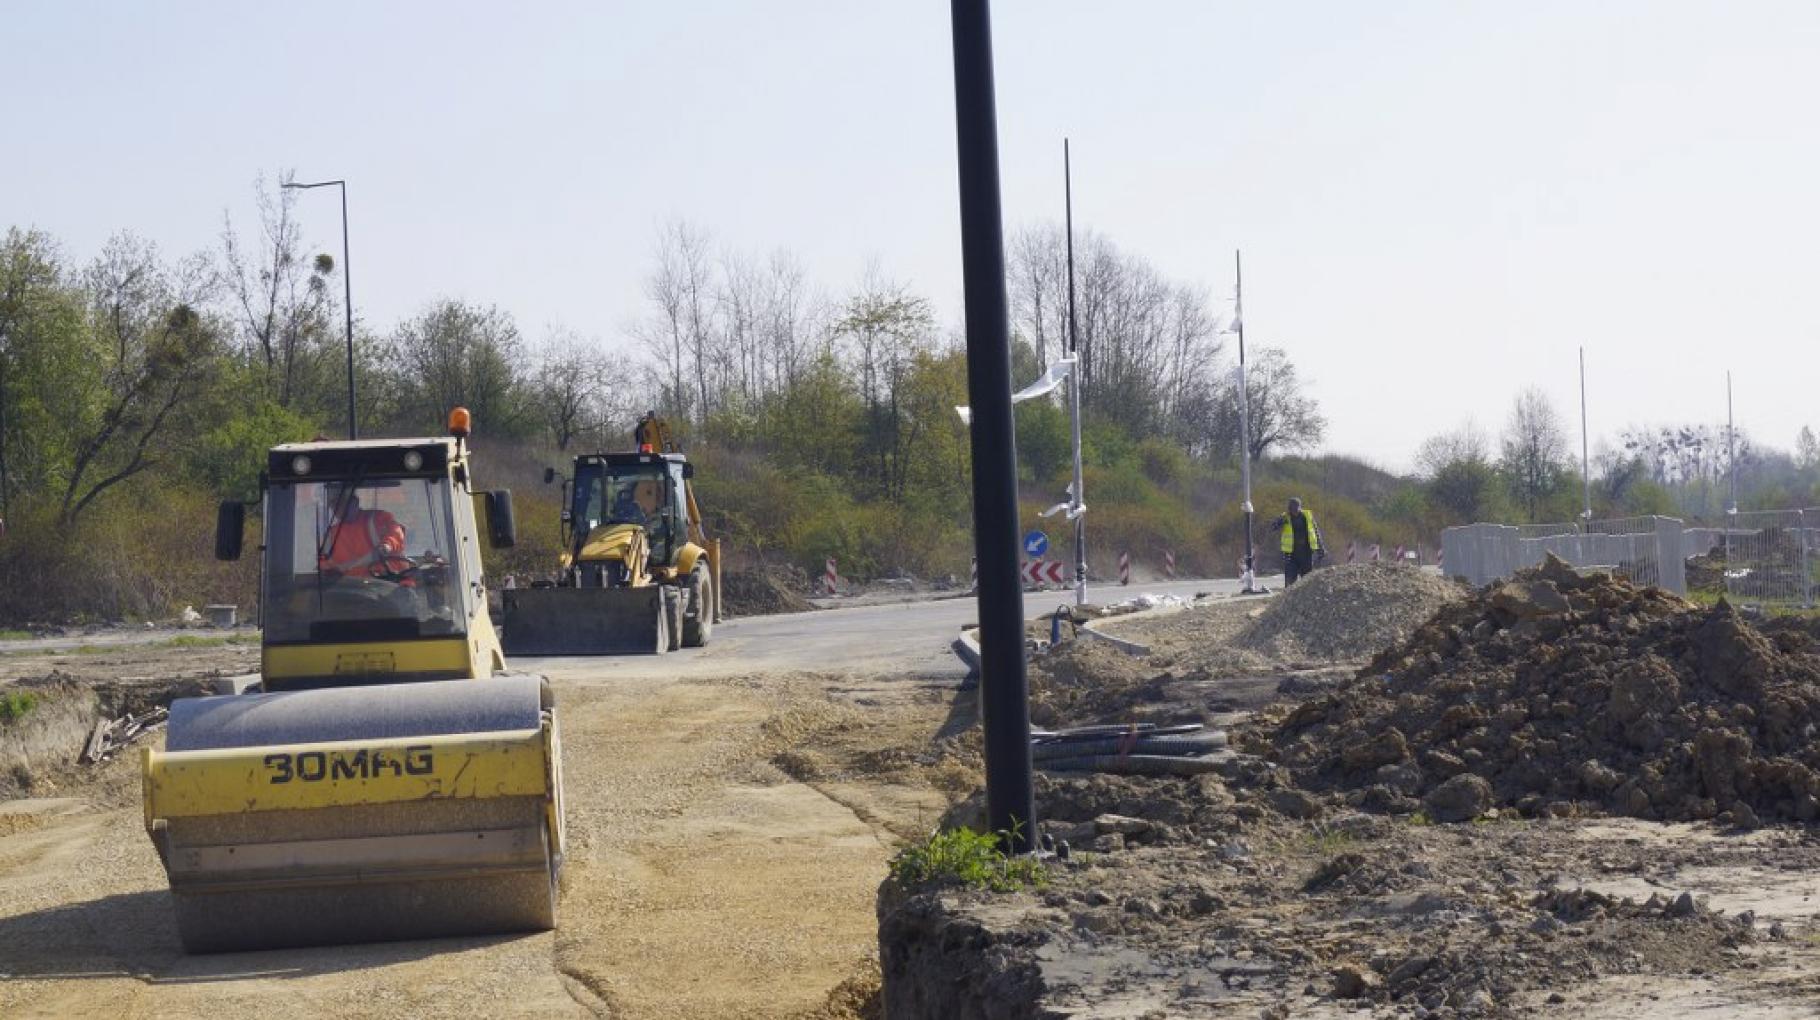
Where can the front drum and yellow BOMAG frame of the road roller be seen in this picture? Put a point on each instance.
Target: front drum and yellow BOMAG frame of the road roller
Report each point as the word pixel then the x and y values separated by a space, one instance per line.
pixel 359 813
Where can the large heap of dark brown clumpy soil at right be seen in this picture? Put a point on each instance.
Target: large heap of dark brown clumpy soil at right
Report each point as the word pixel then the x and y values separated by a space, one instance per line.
pixel 1559 695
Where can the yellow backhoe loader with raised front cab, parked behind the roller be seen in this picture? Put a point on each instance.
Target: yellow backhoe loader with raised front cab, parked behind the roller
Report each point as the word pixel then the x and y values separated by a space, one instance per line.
pixel 638 571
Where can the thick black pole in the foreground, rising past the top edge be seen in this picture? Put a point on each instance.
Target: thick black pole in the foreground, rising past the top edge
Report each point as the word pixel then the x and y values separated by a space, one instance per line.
pixel 1006 699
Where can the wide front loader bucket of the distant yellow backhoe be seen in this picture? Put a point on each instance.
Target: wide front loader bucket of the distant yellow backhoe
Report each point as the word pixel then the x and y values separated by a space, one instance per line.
pixel 585 622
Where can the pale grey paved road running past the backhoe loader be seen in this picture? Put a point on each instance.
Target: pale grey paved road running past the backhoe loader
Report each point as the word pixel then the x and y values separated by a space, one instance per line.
pixel 898 638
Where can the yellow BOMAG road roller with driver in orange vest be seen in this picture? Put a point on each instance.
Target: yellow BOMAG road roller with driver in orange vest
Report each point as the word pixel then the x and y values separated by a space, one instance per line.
pixel 385 780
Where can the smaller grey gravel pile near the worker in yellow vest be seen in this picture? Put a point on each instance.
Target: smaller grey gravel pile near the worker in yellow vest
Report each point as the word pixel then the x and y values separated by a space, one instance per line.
pixel 1348 613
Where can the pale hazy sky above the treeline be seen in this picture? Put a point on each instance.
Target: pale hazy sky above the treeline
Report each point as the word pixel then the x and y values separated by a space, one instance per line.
pixel 1439 203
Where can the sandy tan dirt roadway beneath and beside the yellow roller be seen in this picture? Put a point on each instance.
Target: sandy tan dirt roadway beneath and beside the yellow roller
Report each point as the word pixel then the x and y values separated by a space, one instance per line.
pixel 702 879
